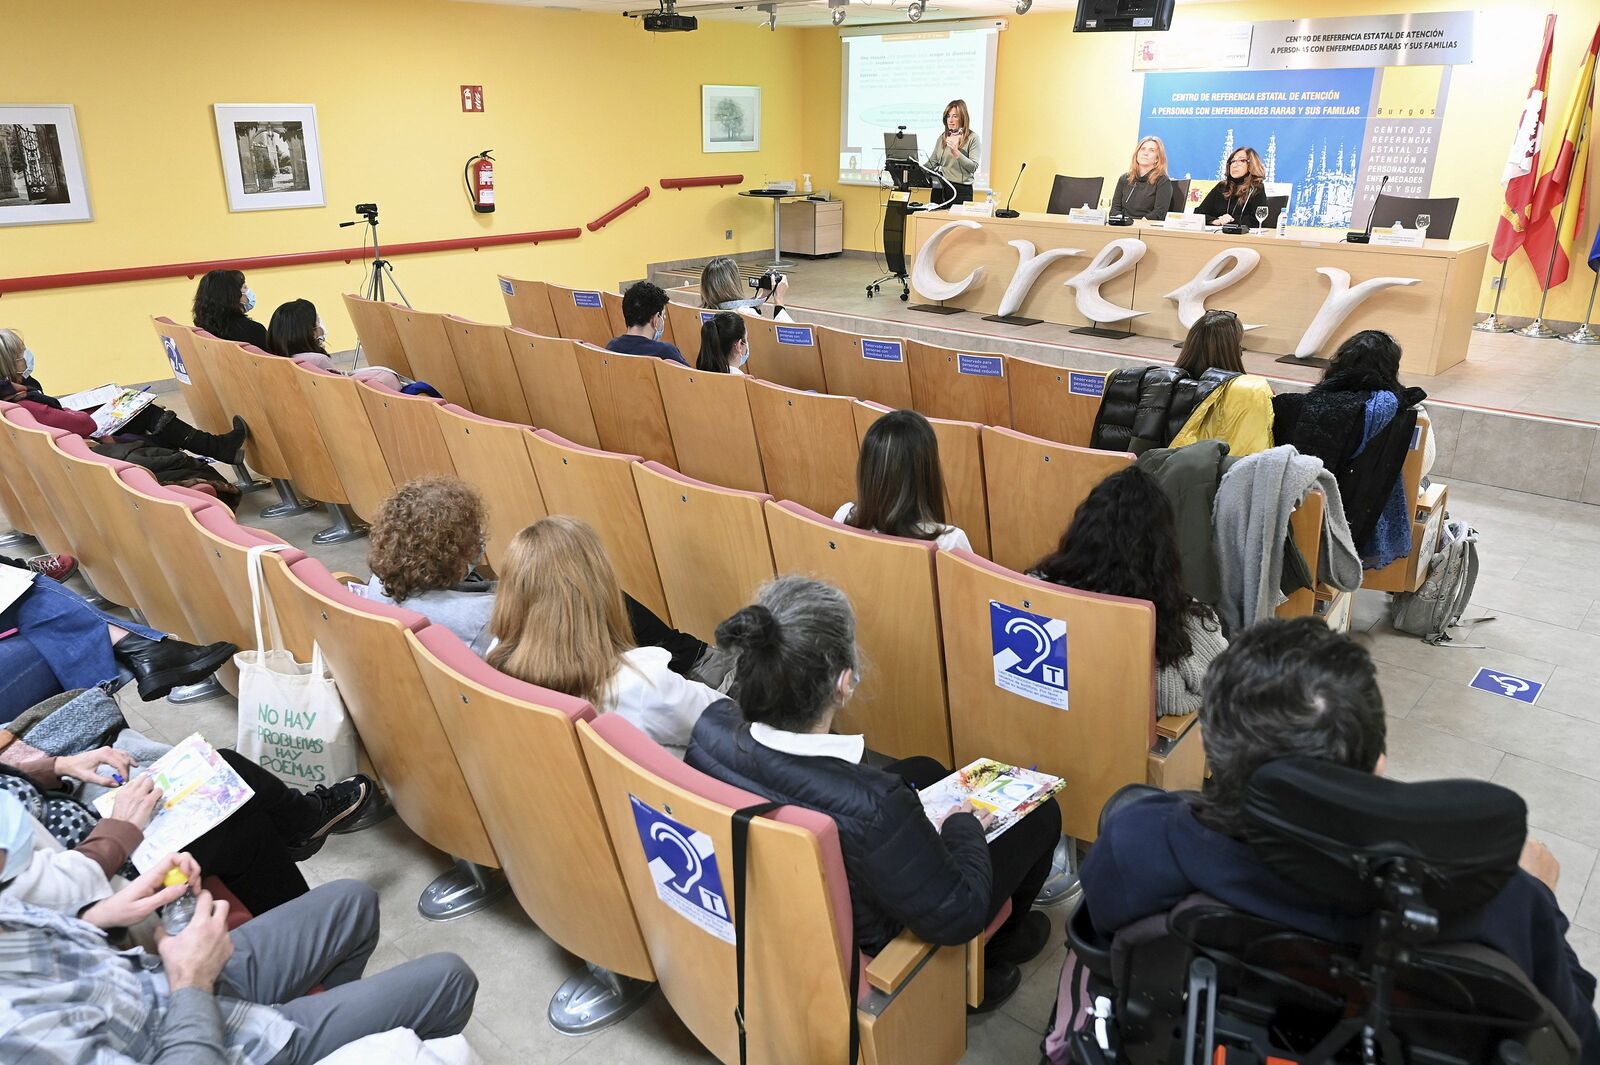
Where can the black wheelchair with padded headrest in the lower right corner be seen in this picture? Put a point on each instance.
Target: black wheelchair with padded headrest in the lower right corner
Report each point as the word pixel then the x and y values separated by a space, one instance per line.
pixel 1412 858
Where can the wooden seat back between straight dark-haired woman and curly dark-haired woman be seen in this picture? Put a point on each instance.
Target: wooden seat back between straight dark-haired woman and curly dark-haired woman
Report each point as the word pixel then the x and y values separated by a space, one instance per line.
pixel 1034 489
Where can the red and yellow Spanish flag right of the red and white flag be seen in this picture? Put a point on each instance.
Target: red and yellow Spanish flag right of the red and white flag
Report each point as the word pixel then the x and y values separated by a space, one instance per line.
pixel 1562 170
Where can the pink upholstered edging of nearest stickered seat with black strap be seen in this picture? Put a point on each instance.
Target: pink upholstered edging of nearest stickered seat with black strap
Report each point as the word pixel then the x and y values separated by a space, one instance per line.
pixel 658 762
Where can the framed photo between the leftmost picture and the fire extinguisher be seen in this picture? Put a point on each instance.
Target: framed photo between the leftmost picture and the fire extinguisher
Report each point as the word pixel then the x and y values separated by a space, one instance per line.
pixel 271 156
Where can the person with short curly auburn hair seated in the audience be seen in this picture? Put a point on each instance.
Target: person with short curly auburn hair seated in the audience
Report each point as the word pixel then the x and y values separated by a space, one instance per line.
pixel 425 541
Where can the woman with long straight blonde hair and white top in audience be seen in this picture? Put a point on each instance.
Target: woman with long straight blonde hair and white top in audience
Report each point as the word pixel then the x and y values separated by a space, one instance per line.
pixel 561 623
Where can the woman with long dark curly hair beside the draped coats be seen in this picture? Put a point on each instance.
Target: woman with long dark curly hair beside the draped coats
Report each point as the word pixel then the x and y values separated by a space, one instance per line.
pixel 1122 541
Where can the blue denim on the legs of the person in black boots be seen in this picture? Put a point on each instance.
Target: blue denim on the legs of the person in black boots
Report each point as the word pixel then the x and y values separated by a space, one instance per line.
pixel 62 644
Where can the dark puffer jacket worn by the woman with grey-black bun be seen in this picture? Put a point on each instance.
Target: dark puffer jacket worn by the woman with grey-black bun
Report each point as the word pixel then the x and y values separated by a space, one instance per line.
pixel 903 874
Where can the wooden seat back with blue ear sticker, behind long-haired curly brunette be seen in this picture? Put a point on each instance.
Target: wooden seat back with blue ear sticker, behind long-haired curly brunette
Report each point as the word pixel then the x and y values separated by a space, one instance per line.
pixel 1102 738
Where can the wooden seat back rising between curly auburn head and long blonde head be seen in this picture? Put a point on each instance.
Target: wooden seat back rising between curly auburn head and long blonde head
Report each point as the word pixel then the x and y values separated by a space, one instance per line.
pixel 494 458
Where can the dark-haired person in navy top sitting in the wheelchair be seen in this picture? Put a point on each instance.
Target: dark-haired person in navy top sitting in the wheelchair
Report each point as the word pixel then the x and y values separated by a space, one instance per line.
pixel 1297 688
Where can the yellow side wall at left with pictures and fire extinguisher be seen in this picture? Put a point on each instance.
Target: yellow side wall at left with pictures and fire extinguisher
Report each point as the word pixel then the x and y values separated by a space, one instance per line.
pixel 582 111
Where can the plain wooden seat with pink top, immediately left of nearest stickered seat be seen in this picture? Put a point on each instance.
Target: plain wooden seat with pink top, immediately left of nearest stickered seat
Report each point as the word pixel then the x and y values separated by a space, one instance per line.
pixel 551 839
